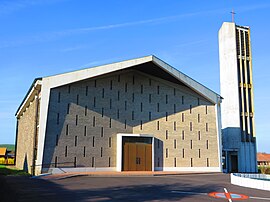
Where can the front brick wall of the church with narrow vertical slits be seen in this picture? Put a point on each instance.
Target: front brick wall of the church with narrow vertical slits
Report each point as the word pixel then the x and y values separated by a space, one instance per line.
pixel 131 111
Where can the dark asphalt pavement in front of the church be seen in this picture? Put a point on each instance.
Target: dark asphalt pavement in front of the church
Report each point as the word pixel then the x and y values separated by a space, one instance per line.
pixel 146 188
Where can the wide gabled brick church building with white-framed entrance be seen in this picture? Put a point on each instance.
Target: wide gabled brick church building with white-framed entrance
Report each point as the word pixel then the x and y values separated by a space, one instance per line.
pixel 135 115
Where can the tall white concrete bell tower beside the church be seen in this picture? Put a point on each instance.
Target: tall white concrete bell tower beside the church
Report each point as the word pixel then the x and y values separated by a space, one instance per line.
pixel 236 86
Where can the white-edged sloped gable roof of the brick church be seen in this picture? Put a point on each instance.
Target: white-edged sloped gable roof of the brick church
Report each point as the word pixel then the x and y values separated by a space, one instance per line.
pixel 148 64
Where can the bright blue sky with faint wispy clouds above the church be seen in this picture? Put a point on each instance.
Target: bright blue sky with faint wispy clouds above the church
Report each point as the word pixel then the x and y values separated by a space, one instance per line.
pixel 46 37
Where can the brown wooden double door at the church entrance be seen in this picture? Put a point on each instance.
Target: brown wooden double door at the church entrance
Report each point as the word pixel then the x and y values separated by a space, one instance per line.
pixel 137 156
